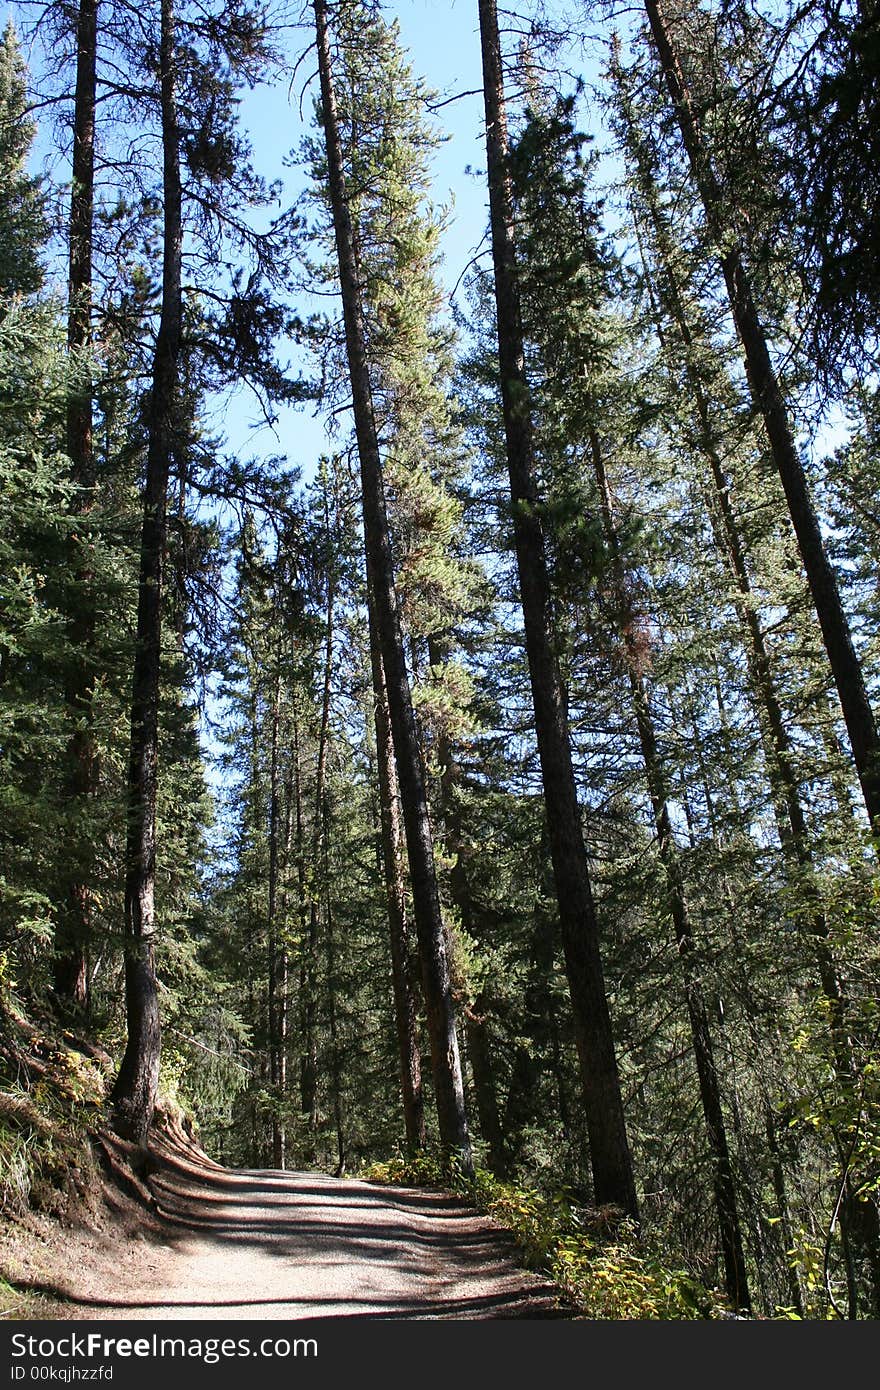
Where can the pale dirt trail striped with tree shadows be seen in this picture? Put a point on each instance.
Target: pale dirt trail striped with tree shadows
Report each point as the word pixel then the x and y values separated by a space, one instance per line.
pixel 263 1245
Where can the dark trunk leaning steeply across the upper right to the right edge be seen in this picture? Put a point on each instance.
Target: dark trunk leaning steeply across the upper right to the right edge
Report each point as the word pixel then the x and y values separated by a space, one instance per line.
pixel 771 404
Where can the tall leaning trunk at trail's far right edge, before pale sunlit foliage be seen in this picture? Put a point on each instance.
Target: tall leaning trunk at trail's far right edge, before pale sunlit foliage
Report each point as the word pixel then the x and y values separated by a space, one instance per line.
pixel 440 1008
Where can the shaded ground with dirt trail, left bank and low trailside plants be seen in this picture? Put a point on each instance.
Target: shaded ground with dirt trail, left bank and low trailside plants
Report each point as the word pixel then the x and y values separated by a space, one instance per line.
pixel 92 1228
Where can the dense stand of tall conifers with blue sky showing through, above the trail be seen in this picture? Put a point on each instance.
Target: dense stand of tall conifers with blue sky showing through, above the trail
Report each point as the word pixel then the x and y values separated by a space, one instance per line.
pixel 497 779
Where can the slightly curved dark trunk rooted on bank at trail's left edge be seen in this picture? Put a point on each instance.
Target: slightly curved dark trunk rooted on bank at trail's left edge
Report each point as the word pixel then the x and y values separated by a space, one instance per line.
pixel 134 1093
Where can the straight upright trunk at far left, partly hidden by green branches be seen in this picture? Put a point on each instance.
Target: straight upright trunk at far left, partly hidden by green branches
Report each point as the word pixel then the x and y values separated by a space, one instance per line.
pixel 77 904
